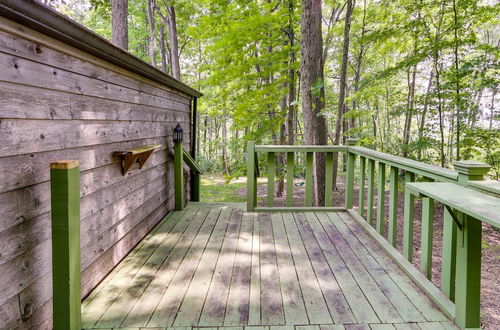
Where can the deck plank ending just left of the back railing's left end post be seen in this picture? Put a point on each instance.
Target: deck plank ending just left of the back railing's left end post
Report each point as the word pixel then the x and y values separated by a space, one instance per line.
pixel 215 304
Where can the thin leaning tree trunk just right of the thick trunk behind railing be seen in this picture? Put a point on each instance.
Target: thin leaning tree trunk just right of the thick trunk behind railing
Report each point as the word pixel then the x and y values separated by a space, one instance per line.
pixel 342 87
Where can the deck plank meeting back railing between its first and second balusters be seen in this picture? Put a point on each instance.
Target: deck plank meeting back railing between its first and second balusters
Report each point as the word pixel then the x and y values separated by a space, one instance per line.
pixel 293 303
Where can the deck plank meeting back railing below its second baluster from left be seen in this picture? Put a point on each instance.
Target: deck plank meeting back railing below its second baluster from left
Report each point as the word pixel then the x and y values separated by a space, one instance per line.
pixel 316 307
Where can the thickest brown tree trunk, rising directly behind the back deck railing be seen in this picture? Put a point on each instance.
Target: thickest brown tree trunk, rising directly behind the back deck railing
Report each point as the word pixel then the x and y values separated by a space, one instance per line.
pixel 313 91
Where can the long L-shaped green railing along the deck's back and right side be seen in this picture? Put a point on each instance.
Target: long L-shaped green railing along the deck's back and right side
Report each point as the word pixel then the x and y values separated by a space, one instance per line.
pixel 458 296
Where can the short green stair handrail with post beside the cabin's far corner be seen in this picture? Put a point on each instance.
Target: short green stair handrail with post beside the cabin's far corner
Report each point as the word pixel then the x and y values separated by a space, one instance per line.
pixel 181 156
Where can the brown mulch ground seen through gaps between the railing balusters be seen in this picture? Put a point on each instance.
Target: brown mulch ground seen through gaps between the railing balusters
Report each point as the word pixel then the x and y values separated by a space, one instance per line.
pixel 490 263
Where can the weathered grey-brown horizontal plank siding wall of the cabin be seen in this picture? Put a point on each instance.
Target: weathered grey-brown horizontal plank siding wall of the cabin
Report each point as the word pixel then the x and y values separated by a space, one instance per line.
pixel 57 102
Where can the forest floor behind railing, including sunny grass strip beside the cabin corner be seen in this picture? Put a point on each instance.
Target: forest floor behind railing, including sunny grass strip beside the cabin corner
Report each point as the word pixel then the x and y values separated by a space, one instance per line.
pixel 215 189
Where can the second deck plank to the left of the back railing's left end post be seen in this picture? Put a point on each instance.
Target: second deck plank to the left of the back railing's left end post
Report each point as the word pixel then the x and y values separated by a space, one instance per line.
pixel 192 305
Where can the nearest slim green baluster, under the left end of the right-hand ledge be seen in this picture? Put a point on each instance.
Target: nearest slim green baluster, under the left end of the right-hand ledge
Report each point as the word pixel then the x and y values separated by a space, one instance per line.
pixel 426 236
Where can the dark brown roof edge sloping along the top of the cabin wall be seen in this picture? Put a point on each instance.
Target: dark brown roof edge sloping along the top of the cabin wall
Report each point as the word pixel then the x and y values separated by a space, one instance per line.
pixel 46 20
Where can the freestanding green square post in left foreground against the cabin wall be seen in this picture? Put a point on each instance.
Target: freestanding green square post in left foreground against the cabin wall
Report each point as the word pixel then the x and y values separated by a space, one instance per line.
pixel 65 211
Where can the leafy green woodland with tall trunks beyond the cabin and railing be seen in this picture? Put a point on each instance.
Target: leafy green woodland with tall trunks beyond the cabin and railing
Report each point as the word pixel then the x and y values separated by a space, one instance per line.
pixel 416 78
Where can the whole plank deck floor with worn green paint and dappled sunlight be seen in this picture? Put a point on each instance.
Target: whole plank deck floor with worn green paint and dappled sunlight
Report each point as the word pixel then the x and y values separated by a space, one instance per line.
pixel 215 265
